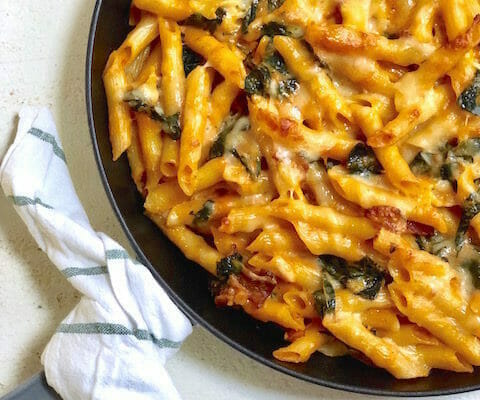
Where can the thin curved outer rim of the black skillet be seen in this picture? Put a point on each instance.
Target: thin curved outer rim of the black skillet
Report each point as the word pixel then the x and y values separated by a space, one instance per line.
pixel 191 314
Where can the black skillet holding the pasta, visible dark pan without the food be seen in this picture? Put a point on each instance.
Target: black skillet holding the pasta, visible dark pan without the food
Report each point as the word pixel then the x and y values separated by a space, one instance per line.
pixel 187 283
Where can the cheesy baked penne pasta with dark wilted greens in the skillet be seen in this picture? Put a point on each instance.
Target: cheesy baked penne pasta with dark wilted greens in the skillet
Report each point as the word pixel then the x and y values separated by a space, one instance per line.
pixel 321 160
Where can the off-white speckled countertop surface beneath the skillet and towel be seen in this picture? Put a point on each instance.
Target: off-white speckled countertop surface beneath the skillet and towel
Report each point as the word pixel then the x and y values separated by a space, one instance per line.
pixel 42 57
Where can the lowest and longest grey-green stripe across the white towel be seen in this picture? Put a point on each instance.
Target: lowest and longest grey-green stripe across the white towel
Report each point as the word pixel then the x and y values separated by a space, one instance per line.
pixel 116 329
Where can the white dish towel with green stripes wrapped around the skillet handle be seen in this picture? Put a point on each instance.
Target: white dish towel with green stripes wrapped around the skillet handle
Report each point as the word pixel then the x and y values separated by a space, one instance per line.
pixel 115 342
